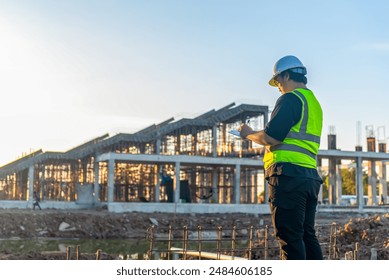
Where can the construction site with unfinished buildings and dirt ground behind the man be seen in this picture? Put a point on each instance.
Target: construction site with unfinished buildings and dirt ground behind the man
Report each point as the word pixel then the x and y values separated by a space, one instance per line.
pixel 193 174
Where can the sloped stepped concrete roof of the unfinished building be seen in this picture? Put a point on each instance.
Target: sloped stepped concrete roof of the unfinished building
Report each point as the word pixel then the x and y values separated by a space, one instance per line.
pixel 99 145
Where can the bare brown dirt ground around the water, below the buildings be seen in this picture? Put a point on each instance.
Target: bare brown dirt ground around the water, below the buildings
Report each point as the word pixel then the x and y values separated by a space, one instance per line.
pixel 351 230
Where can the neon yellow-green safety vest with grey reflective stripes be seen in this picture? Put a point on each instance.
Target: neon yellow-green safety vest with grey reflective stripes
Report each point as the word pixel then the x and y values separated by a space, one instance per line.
pixel 301 145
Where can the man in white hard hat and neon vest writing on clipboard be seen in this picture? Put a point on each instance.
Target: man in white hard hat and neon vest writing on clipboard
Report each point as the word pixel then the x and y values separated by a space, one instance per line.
pixel 291 139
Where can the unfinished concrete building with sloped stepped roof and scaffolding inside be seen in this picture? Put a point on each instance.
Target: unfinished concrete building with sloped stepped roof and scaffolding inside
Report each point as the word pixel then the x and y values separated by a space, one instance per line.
pixel 184 162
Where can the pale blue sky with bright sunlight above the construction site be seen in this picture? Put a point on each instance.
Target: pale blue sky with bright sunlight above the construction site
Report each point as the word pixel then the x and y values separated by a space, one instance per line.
pixel 73 70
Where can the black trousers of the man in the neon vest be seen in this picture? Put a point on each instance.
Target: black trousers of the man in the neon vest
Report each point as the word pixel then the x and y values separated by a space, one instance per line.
pixel 293 204
